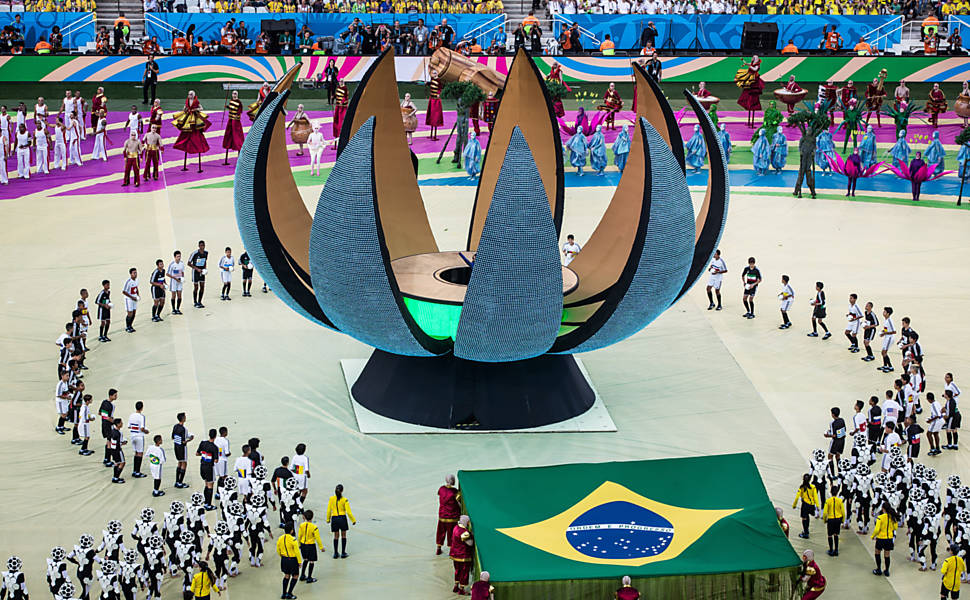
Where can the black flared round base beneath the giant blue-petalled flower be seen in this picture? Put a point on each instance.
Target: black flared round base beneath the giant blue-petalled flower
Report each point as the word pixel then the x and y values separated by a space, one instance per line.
pixel 453 393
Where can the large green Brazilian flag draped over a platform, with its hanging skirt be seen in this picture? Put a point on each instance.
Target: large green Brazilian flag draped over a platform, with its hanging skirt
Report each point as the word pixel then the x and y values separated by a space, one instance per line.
pixel 680 528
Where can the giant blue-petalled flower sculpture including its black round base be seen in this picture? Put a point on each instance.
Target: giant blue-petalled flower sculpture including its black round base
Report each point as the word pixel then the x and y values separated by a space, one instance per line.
pixel 481 336
